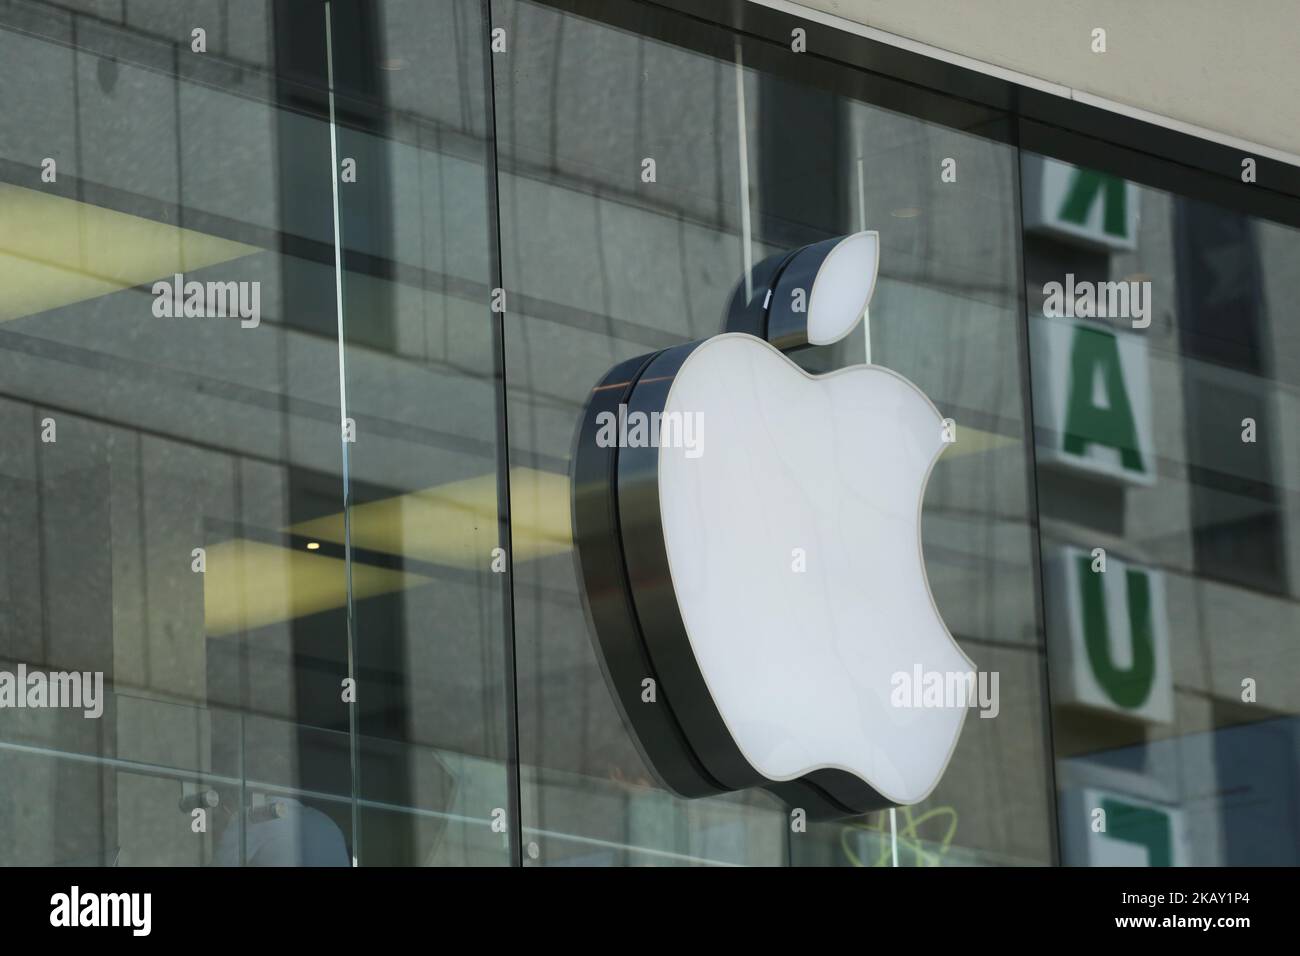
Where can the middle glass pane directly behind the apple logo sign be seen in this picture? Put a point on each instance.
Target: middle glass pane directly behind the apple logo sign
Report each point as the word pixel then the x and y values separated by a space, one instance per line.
pixel 609 257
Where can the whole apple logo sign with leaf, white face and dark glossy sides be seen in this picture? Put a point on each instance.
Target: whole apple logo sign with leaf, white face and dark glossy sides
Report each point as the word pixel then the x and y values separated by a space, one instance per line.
pixel 753 596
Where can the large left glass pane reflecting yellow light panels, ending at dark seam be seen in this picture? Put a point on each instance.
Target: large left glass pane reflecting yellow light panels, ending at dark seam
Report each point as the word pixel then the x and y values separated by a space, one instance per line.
pixel 175 474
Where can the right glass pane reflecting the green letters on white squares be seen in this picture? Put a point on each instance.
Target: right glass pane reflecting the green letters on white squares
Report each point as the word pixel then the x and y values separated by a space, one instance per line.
pixel 1165 378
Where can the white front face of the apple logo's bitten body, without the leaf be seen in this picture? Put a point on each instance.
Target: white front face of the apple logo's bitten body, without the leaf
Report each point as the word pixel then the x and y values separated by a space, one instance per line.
pixel 800 663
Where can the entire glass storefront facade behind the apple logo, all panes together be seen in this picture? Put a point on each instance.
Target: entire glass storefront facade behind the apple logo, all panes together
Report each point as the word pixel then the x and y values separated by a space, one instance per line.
pixel 300 309
